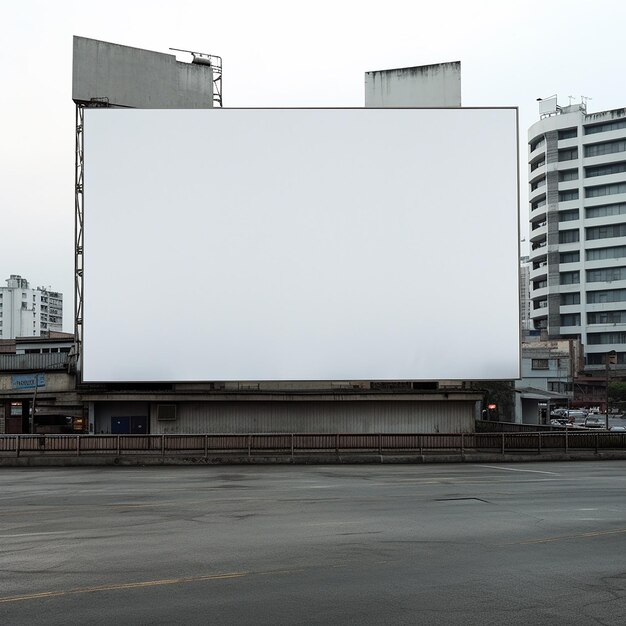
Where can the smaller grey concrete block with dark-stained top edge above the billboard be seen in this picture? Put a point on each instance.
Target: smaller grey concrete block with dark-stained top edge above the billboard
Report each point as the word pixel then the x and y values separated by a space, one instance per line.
pixel 436 85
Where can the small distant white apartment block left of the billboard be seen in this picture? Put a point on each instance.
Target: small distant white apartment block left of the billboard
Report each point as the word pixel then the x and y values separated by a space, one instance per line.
pixel 26 312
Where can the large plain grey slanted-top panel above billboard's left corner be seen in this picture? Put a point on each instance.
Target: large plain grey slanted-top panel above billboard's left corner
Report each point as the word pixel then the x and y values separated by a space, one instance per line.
pixel 136 78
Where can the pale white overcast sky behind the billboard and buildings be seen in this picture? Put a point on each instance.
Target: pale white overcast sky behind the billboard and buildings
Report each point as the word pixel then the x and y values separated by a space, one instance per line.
pixel 276 53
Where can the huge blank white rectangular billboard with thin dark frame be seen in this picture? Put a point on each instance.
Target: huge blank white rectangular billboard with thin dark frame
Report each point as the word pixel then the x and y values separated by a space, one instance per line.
pixel 300 244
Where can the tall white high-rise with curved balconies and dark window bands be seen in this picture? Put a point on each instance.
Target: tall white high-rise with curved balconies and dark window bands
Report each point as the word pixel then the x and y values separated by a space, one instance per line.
pixel 577 196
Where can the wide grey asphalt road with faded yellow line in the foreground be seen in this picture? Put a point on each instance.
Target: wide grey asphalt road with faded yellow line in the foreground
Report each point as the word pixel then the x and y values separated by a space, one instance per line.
pixel 532 543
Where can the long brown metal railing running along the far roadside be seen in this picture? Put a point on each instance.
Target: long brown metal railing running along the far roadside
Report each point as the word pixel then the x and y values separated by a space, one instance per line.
pixel 303 444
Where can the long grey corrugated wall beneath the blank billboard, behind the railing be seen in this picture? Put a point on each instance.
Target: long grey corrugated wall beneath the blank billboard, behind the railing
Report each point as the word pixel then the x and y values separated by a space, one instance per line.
pixel 319 417
